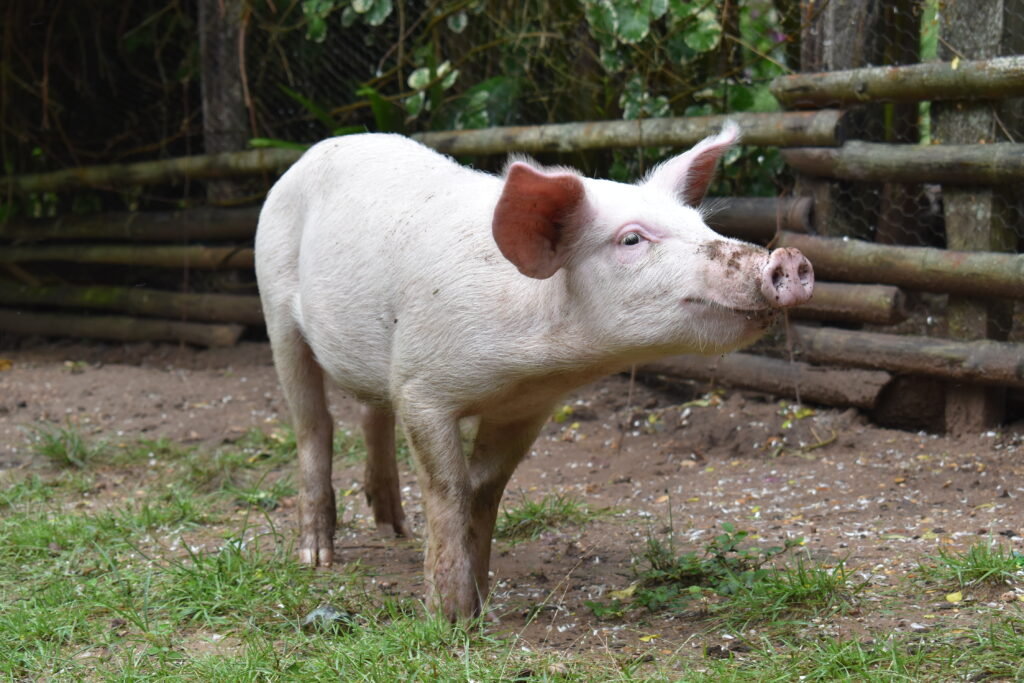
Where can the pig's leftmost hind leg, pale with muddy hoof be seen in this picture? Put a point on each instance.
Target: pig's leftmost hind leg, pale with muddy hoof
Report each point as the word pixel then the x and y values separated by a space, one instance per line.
pixel 303 380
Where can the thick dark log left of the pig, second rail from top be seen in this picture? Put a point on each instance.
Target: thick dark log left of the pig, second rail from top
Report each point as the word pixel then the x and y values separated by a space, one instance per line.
pixel 192 225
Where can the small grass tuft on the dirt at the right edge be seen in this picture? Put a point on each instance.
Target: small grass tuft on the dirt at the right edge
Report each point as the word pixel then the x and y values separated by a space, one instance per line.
pixel 985 563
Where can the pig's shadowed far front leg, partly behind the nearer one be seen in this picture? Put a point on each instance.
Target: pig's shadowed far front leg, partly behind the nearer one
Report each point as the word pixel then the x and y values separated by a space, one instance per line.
pixel 497 452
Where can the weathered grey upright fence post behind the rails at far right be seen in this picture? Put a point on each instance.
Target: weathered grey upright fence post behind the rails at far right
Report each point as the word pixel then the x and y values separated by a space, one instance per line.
pixel 978 220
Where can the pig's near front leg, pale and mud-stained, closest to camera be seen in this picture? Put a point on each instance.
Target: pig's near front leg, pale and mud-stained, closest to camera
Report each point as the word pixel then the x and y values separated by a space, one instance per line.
pixel 445 480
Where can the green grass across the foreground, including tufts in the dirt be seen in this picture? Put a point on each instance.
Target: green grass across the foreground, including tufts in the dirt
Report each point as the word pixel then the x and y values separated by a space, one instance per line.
pixel 155 562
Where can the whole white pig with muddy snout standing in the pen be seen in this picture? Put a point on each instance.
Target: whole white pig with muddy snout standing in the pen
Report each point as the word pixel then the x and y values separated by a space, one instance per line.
pixel 436 293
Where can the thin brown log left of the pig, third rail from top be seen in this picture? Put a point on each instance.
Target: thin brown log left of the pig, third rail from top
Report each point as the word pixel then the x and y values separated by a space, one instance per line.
pixel 161 257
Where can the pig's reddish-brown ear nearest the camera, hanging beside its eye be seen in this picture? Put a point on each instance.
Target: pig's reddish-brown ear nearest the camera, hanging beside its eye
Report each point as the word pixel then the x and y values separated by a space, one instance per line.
pixel 533 218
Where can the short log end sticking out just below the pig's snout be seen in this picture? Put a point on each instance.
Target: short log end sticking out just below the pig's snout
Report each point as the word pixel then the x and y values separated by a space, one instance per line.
pixel 874 305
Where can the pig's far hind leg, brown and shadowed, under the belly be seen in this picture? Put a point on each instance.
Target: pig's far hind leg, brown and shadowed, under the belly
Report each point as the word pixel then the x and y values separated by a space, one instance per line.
pixel 383 493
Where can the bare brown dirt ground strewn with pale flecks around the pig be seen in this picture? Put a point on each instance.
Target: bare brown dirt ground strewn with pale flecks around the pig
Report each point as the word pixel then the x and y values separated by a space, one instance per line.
pixel 882 500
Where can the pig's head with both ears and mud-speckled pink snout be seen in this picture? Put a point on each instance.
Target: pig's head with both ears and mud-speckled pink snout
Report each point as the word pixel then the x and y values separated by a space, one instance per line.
pixel 644 274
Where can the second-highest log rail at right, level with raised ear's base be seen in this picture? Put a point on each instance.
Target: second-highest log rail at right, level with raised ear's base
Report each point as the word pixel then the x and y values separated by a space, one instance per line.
pixel 876 162
